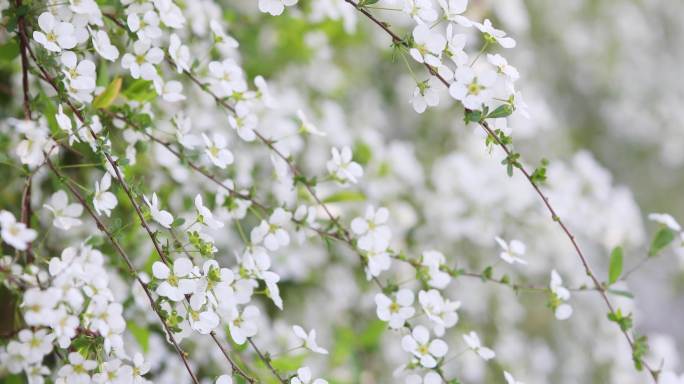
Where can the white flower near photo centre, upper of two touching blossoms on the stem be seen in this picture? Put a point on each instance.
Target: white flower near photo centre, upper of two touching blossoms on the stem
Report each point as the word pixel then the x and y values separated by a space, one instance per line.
pixel 372 229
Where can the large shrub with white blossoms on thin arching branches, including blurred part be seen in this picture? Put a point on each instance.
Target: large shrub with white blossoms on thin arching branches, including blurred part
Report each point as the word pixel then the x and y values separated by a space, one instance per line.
pixel 182 208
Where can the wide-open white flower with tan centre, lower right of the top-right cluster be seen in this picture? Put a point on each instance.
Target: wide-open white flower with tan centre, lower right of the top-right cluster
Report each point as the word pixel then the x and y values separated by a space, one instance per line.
pixel 470 88
